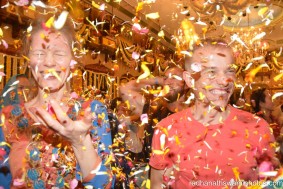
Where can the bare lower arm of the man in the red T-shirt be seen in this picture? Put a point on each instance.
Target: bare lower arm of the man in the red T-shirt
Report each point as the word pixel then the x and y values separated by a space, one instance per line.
pixel 156 177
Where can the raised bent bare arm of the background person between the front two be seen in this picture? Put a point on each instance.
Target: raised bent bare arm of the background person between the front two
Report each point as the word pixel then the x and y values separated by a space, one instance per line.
pixel 132 92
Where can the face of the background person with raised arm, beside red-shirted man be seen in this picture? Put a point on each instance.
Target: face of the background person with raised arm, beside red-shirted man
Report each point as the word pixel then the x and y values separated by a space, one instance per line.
pixel 173 79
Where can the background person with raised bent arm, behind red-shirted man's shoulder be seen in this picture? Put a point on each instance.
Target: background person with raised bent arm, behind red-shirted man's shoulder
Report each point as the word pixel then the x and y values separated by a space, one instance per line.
pixel 154 106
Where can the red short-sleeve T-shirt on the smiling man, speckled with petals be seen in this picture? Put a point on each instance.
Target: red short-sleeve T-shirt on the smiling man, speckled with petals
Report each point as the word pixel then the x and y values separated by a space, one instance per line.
pixel 214 153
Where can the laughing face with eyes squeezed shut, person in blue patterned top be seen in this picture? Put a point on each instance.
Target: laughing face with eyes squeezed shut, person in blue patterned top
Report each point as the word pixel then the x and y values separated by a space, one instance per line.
pixel 50 58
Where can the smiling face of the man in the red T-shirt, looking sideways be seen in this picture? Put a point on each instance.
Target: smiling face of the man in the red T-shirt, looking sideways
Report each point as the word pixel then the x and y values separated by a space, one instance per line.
pixel 212 76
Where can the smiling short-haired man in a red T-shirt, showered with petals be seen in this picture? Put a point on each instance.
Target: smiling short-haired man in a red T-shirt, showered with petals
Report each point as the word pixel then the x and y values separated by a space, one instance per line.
pixel 211 144
